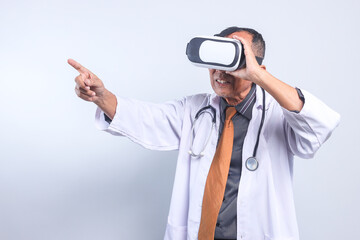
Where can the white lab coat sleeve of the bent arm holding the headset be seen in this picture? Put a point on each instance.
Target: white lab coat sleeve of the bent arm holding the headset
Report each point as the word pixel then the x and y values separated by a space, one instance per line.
pixel 307 130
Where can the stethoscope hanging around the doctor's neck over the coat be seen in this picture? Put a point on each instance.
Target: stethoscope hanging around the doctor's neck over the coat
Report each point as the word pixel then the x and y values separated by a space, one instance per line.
pixel 251 163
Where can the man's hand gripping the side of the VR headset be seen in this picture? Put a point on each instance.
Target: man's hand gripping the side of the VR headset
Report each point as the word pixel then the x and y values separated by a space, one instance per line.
pixel 250 72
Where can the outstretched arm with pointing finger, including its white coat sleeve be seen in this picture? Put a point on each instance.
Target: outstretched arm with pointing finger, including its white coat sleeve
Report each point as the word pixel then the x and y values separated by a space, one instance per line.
pixel 154 126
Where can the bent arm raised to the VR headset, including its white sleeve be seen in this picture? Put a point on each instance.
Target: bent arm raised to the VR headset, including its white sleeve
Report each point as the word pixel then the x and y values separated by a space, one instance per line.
pixel 312 123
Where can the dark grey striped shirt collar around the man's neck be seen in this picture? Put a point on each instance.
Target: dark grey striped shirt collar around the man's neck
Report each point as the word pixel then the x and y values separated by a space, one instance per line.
pixel 244 107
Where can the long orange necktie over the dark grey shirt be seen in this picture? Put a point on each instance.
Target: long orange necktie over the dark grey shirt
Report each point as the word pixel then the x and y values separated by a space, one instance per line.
pixel 216 179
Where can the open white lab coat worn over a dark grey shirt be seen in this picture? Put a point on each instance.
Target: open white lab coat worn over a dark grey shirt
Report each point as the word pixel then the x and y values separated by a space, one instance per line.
pixel 265 204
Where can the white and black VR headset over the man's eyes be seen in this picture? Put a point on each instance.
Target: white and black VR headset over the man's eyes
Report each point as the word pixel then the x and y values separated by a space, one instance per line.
pixel 217 53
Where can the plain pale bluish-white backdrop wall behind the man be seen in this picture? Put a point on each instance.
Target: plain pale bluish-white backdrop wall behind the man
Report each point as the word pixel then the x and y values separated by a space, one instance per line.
pixel 61 178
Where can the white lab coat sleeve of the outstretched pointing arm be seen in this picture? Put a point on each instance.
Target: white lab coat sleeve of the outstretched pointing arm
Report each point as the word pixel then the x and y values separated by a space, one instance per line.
pixel 154 126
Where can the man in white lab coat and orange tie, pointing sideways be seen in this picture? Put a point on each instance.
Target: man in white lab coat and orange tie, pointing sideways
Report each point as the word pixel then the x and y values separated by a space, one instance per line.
pixel 272 126
